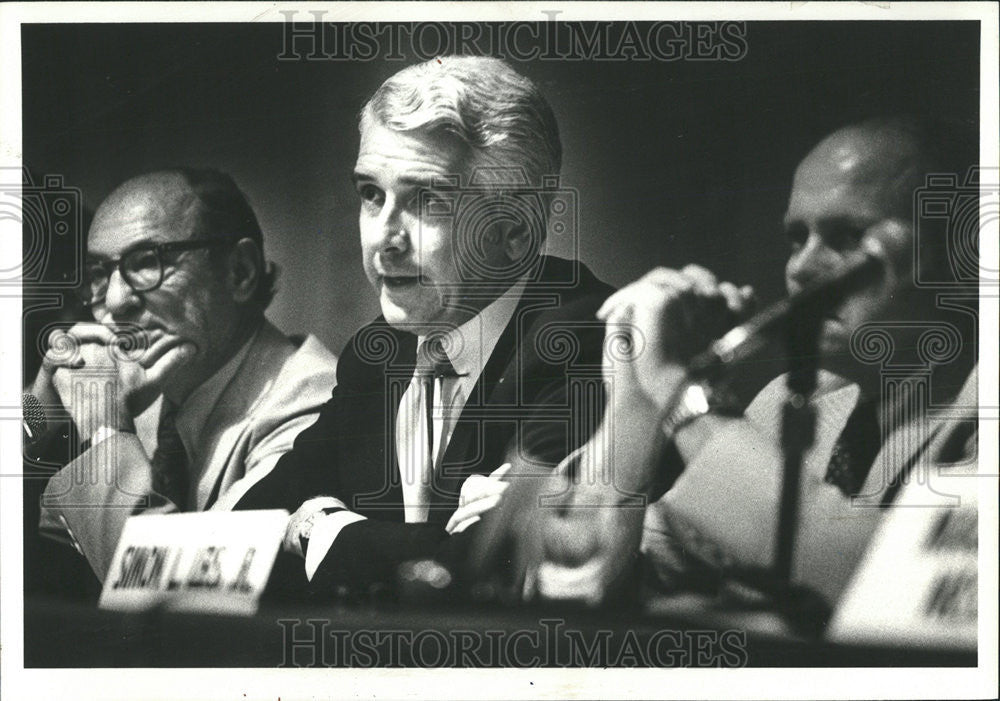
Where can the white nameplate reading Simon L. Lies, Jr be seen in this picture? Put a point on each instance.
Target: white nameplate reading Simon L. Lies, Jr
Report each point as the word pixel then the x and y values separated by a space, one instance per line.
pixel 214 561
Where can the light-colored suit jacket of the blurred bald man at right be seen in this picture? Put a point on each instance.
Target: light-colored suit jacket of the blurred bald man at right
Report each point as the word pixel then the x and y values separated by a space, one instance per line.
pixel 722 512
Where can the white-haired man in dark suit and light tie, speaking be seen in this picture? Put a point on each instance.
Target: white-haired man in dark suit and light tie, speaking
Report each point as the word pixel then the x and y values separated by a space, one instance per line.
pixel 456 174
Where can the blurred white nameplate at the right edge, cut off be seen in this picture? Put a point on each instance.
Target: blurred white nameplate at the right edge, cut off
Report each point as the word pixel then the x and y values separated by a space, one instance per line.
pixel 918 582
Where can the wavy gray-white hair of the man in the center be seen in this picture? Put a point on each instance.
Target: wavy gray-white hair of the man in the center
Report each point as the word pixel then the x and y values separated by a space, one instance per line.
pixel 498 113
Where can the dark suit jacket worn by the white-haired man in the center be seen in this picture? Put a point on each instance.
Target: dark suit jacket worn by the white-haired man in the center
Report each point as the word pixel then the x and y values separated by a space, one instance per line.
pixel 538 399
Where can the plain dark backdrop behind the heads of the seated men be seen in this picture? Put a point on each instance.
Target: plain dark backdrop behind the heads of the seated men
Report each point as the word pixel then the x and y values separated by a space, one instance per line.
pixel 674 162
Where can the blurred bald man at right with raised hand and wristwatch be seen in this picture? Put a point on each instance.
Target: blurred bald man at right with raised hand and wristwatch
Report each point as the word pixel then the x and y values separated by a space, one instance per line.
pixel 718 521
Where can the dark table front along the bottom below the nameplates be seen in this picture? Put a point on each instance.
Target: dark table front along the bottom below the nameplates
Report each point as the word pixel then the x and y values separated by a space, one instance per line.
pixel 63 634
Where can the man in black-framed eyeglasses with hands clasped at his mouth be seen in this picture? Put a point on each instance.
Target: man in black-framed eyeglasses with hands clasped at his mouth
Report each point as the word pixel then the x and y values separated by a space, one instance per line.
pixel 183 394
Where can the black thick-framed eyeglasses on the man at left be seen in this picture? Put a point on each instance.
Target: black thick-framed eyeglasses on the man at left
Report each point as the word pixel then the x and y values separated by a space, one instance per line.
pixel 141 267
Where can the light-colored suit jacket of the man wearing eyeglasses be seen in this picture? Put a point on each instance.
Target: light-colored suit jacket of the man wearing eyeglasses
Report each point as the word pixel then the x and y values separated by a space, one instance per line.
pixel 275 393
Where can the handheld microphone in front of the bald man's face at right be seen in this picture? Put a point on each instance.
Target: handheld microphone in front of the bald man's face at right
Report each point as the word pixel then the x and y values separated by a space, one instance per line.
pixel 858 271
